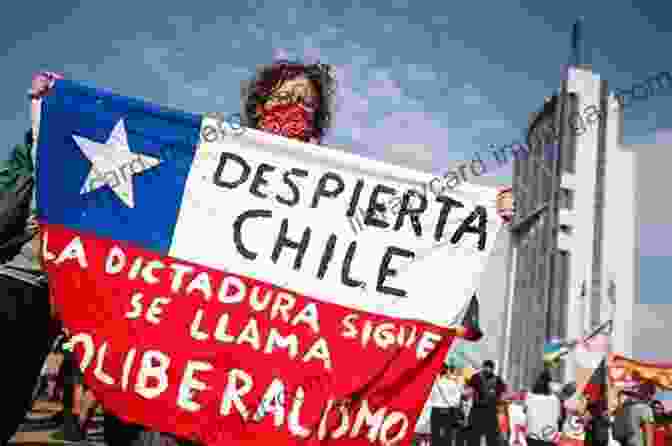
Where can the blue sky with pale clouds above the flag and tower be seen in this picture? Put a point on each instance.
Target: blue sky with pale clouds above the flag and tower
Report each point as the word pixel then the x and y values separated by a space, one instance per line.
pixel 419 85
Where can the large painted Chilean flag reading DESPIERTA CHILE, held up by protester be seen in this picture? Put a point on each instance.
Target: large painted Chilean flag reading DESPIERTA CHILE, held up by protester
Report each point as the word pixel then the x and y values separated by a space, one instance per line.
pixel 213 287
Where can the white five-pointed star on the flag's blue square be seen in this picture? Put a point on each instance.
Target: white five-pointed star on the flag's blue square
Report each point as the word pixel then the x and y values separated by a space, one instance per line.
pixel 113 164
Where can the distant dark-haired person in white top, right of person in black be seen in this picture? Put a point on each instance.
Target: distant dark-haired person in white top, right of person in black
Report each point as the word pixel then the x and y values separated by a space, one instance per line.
pixel 544 412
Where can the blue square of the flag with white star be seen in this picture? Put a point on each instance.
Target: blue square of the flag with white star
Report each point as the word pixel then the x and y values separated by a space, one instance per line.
pixel 124 163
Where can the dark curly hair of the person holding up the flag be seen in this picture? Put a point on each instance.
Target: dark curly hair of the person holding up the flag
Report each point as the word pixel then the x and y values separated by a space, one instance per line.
pixel 268 78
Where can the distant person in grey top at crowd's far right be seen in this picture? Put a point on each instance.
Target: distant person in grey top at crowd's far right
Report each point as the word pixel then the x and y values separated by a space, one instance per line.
pixel 633 414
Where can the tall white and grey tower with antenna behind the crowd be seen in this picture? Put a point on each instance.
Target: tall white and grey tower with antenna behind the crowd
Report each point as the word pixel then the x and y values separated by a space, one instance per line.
pixel 574 239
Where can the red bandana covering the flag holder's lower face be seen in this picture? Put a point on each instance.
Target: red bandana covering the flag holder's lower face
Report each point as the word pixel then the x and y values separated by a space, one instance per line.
pixel 289 120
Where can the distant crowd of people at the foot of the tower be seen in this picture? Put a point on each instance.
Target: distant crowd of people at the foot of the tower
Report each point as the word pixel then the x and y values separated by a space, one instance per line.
pixel 463 411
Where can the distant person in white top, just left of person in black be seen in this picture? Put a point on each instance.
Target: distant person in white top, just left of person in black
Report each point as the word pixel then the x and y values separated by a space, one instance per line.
pixel 446 418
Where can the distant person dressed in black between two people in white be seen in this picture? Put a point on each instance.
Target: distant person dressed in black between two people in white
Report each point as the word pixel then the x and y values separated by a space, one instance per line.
pixel 487 389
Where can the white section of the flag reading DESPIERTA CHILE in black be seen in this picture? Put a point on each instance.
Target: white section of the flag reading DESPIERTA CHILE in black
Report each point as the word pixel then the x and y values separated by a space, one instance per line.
pixel 311 218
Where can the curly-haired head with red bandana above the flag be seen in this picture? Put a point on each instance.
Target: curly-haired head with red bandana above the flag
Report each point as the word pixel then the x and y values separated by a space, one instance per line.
pixel 291 99
